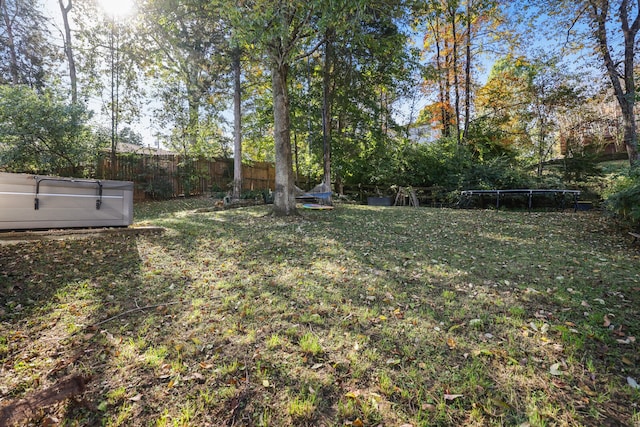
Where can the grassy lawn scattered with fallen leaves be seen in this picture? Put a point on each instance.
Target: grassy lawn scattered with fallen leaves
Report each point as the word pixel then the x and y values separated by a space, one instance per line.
pixel 359 316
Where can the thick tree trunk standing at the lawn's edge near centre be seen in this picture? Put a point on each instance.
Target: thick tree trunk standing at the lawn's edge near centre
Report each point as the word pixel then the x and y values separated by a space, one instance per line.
pixel 284 201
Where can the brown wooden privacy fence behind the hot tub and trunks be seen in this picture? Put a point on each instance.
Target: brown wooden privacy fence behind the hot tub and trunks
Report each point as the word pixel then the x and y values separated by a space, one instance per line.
pixel 168 176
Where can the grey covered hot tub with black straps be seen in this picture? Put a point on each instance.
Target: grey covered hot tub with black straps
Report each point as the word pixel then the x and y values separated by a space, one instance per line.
pixel 43 202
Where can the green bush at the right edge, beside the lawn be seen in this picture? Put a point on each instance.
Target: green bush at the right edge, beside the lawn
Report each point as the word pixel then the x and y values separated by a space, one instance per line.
pixel 623 198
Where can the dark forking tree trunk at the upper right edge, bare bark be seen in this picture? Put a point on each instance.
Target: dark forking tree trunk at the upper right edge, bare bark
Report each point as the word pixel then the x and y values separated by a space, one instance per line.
pixel 625 95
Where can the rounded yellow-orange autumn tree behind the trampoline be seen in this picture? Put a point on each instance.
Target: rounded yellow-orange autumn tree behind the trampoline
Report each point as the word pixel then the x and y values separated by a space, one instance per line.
pixel 522 103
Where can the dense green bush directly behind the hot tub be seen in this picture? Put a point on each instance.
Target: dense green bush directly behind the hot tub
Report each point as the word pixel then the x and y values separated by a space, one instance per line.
pixel 40 133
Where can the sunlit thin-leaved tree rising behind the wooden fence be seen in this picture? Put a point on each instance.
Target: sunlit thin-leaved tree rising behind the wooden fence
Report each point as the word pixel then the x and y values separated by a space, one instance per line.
pixel 181 48
